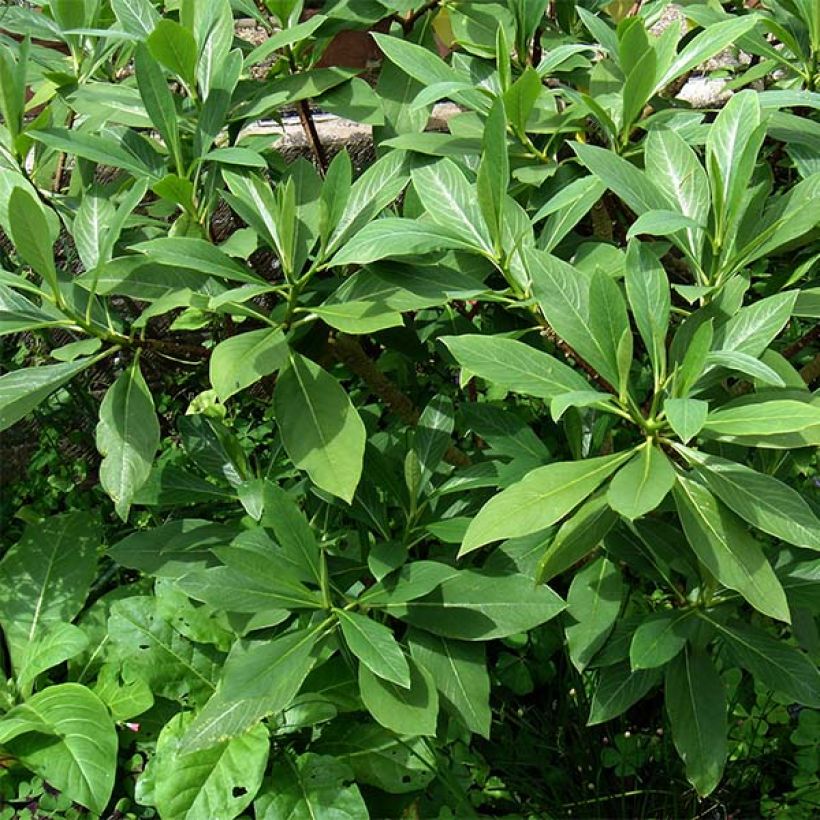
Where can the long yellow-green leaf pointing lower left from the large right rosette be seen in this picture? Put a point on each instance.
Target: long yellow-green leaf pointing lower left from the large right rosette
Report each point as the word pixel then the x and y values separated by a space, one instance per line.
pixel 542 497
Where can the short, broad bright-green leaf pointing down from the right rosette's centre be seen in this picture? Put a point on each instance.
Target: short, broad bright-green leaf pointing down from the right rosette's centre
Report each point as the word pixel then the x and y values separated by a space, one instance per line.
pixel 641 485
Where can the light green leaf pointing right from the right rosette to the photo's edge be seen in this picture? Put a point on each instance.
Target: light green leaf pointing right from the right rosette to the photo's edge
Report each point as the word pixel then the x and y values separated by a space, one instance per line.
pixel 765 418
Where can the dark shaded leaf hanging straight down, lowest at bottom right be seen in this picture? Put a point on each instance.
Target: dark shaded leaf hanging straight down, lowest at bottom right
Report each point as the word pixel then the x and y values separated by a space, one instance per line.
pixel 696 705
